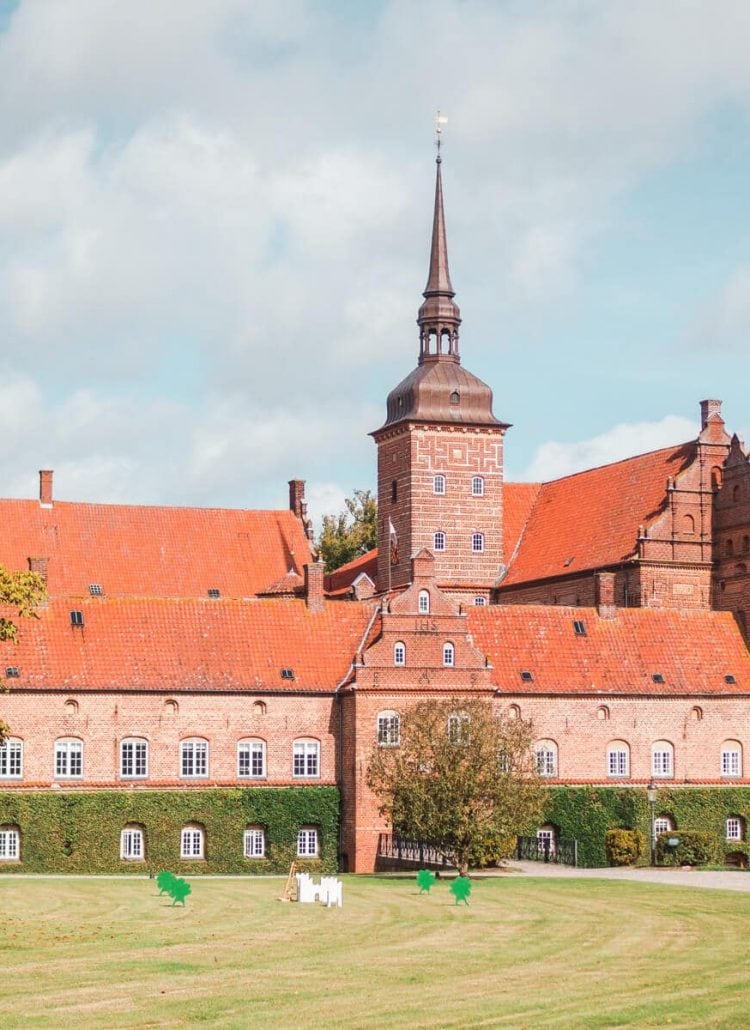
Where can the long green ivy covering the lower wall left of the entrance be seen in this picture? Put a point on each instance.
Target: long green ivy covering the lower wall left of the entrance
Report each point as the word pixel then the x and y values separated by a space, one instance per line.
pixel 80 833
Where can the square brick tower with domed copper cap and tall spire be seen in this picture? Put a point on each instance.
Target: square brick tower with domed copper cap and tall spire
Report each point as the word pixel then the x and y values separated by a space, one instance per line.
pixel 440 454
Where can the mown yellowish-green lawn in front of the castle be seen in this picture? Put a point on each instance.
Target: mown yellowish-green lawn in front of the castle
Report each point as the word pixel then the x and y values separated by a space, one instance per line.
pixel 526 953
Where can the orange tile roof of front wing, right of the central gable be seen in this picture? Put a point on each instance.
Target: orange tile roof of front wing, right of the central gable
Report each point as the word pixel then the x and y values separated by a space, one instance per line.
pixel 693 650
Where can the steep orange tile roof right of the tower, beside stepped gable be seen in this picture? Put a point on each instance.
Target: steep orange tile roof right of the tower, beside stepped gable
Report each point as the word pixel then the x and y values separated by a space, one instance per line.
pixel 591 520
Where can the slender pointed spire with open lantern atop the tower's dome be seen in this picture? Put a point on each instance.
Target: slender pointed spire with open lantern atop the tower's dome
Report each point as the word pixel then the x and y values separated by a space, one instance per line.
pixel 439 317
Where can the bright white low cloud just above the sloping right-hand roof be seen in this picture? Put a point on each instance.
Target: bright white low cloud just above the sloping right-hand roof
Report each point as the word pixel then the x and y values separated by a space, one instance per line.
pixel 554 459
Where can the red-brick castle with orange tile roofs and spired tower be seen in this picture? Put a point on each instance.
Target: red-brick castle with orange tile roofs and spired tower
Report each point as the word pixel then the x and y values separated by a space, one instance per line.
pixel 202 658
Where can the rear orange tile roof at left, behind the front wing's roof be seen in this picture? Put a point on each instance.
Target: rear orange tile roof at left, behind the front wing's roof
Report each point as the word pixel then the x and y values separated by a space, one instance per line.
pixel 153 552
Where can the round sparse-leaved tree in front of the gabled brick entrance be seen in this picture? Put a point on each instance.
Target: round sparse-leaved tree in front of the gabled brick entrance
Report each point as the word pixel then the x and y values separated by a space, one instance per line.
pixel 463 780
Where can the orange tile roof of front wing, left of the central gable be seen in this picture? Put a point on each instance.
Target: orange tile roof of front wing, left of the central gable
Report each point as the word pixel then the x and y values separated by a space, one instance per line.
pixel 178 646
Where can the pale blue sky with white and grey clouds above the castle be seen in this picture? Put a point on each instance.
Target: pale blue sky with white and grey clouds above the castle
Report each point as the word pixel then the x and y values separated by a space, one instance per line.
pixel 215 233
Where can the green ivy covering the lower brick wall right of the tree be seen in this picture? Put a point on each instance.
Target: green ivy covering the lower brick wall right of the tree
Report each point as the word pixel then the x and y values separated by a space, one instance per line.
pixel 587 813
